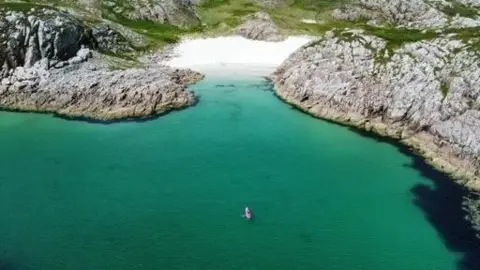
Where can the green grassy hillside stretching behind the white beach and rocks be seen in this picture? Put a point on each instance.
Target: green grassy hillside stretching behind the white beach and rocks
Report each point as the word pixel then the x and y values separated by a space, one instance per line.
pixel 220 16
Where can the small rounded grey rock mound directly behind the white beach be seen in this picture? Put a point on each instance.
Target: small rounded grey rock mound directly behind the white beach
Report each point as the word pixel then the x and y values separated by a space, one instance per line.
pixel 260 26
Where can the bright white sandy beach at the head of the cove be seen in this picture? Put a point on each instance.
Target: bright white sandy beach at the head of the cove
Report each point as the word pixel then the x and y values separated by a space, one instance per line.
pixel 234 55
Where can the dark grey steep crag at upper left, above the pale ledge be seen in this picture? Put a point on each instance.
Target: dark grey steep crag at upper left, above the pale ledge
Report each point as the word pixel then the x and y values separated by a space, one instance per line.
pixel 26 38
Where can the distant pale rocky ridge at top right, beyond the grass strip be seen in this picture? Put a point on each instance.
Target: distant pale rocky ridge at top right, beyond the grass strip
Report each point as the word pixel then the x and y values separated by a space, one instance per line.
pixel 417 14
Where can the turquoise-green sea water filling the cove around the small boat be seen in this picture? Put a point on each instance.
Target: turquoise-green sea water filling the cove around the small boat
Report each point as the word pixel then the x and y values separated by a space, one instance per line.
pixel 169 193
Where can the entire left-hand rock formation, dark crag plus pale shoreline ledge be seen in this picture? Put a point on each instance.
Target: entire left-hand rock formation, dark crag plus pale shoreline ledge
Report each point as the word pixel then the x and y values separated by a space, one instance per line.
pixel 47 67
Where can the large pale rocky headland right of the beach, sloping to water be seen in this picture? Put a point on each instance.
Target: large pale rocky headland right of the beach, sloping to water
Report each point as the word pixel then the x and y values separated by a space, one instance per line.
pixel 425 93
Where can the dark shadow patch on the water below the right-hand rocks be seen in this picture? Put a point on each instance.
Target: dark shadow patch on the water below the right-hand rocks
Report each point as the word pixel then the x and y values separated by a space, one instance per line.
pixel 442 206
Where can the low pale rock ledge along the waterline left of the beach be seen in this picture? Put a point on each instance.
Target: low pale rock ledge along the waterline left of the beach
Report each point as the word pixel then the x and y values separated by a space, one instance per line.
pixel 89 90
